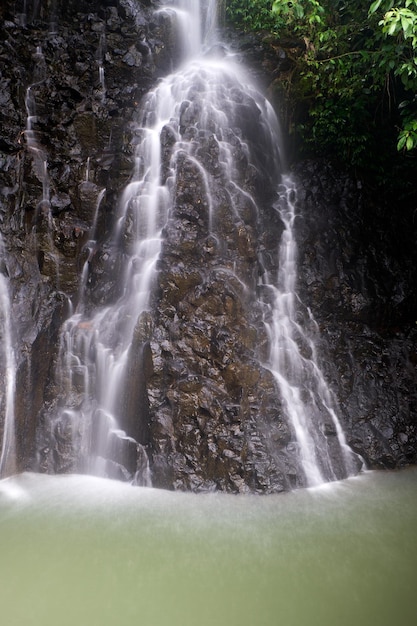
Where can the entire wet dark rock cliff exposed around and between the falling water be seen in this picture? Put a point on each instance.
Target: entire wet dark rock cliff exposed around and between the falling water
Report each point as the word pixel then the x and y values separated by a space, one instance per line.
pixel 198 400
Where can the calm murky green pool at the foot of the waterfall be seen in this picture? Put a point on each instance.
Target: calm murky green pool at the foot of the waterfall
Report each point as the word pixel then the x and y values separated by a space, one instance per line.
pixel 89 552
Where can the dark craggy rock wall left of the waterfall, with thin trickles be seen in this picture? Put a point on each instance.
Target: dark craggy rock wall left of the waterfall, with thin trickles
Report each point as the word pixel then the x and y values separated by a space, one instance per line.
pixel 78 142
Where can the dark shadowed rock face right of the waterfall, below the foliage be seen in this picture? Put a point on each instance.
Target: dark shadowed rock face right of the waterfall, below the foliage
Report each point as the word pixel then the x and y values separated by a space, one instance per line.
pixel 357 272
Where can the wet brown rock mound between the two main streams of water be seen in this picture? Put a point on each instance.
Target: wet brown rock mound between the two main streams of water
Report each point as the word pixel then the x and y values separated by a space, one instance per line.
pixel 213 407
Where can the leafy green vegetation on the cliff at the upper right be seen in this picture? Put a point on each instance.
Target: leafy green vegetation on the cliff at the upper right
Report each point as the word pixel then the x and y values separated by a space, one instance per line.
pixel 353 80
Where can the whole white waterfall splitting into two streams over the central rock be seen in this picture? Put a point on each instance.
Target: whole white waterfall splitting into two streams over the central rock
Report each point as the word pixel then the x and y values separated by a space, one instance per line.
pixel 195 109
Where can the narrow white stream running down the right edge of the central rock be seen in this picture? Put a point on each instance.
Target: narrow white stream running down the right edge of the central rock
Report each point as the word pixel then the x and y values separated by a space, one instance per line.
pixel 321 445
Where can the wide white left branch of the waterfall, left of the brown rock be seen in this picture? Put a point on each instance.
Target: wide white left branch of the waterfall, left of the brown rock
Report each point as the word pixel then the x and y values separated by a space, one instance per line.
pixel 94 351
